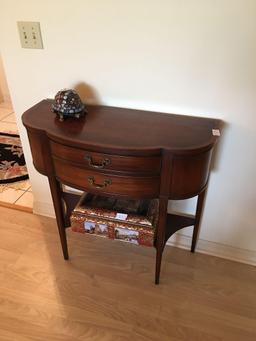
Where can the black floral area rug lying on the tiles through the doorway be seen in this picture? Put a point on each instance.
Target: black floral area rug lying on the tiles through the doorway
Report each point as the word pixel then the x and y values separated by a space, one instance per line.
pixel 12 163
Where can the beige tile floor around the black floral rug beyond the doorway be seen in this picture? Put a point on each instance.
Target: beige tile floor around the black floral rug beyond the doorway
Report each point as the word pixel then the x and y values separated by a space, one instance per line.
pixel 17 195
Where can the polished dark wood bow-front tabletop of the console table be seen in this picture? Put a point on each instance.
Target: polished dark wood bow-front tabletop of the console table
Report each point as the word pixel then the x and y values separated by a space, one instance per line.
pixel 124 130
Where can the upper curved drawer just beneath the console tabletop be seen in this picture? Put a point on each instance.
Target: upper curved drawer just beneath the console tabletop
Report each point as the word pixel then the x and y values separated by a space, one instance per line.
pixel 92 160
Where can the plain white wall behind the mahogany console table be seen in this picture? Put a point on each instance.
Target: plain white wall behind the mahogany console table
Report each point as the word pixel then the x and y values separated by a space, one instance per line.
pixel 183 56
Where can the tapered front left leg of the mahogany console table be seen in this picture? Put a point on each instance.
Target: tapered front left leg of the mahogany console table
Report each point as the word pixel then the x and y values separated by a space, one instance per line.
pixel 56 196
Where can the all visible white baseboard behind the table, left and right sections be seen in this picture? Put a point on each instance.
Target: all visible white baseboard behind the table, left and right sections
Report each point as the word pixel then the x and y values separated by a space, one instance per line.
pixel 181 241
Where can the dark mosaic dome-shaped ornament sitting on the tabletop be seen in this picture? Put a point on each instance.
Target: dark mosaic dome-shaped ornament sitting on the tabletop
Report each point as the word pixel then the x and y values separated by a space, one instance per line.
pixel 67 103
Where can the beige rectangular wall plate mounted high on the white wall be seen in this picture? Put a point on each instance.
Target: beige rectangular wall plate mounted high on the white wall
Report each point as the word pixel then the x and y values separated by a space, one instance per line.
pixel 30 34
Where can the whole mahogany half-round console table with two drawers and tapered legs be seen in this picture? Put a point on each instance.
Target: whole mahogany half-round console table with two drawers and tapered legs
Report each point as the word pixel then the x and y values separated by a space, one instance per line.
pixel 123 152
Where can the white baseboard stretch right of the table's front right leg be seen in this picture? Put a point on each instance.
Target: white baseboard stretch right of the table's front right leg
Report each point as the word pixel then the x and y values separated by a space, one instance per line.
pixel 215 249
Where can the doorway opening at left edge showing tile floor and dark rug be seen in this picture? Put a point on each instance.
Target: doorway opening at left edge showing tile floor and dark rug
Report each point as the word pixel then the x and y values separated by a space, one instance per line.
pixel 15 189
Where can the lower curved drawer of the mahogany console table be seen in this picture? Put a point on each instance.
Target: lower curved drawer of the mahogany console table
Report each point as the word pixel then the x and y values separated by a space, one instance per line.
pixel 93 181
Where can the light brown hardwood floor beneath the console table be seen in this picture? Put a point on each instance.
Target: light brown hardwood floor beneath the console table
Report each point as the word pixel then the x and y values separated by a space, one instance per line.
pixel 106 290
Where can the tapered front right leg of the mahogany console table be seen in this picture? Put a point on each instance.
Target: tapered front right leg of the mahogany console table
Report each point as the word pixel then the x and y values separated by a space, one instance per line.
pixel 160 239
